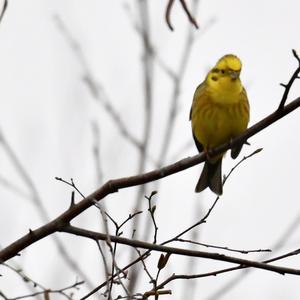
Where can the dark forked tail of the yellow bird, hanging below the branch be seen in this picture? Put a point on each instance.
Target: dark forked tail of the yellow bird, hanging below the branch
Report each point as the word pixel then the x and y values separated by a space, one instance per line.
pixel 211 177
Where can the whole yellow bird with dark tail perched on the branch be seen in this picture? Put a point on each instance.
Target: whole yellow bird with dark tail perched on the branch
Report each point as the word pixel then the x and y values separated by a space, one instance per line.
pixel 219 112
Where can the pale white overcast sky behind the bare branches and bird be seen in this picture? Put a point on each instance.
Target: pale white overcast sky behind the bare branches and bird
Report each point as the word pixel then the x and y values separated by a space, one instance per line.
pixel 46 113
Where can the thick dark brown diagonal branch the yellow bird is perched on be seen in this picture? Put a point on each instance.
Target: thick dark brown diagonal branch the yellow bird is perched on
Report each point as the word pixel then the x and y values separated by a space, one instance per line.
pixel 114 185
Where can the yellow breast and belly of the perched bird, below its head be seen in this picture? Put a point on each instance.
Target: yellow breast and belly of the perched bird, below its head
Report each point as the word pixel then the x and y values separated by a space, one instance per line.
pixel 218 117
